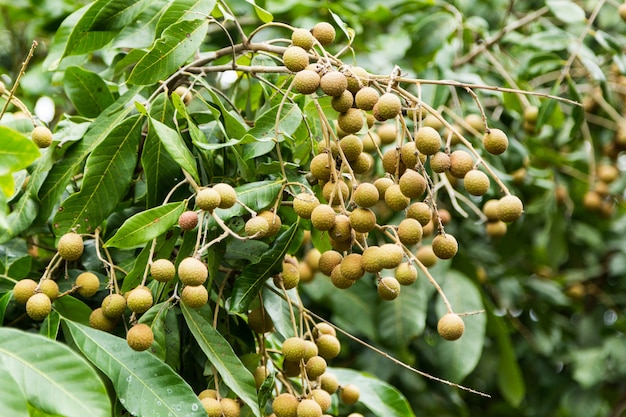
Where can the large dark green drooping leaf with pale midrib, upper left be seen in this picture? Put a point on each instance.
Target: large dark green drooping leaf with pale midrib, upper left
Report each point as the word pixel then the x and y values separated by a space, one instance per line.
pixel 108 173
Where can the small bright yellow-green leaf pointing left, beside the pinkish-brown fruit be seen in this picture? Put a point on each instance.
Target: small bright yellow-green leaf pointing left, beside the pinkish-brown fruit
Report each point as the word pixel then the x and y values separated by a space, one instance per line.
pixel 146 225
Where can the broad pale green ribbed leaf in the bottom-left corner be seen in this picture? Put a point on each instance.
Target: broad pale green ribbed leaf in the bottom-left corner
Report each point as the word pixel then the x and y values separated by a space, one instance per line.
pixel 53 377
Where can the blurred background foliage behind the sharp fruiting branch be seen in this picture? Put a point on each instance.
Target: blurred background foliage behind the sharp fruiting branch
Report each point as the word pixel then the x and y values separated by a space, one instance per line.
pixel 553 287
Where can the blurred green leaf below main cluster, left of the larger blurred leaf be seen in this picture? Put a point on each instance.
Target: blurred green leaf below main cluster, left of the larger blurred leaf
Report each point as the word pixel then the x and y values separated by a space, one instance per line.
pixel 404 318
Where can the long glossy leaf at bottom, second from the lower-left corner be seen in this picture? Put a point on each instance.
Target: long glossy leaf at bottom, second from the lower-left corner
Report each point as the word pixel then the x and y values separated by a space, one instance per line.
pixel 143 384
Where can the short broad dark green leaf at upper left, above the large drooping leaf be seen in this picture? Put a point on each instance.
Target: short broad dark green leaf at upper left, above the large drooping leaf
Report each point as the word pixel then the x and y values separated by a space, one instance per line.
pixel 87 91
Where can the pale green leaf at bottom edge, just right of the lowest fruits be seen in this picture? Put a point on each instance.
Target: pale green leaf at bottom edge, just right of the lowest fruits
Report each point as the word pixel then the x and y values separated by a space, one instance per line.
pixel 381 398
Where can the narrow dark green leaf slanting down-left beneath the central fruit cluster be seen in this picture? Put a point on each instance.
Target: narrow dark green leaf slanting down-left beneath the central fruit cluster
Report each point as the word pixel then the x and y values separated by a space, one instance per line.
pixel 248 284
